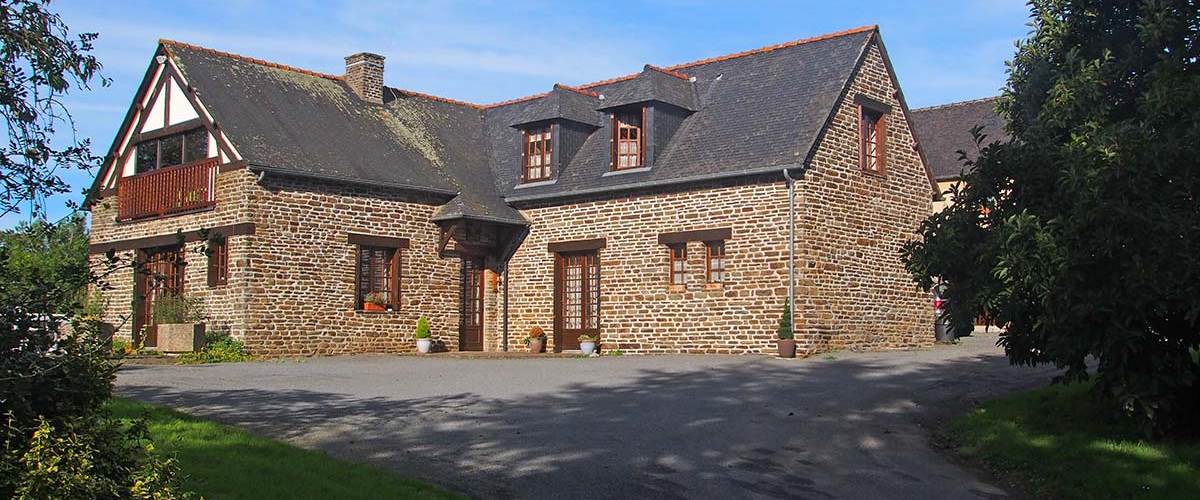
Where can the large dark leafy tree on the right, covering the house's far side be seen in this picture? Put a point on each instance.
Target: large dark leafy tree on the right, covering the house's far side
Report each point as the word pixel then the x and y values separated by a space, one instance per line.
pixel 1082 236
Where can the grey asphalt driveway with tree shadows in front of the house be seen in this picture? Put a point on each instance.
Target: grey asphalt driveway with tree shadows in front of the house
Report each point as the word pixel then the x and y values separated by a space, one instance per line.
pixel 842 426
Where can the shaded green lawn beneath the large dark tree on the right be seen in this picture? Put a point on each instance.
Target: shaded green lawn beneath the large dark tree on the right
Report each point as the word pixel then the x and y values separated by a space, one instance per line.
pixel 1061 443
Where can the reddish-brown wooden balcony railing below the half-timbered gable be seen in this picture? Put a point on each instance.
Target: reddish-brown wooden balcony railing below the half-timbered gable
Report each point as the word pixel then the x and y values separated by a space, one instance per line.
pixel 172 190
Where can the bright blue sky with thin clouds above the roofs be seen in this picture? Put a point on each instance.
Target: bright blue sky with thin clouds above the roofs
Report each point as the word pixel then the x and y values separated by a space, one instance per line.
pixel 488 52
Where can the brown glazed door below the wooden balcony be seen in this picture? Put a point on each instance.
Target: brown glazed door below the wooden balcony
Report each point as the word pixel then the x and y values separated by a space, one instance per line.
pixel 163 273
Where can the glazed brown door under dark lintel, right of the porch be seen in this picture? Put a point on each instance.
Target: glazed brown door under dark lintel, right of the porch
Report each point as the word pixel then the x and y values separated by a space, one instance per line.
pixel 577 298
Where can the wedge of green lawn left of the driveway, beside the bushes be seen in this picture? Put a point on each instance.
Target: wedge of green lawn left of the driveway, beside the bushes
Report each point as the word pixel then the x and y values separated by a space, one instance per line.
pixel 224 462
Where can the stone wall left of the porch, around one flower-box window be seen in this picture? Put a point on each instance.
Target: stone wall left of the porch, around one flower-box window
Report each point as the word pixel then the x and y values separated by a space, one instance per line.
pixel 303 302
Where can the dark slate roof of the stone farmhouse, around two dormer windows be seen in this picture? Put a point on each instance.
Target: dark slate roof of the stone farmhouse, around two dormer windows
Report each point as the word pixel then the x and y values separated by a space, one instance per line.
pixel 752 112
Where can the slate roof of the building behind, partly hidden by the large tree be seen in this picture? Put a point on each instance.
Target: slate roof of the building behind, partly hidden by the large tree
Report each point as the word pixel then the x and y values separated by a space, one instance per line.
pixel 945 130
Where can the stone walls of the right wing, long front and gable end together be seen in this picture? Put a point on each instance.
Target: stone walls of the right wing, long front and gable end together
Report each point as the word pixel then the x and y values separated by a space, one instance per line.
pixel 853 291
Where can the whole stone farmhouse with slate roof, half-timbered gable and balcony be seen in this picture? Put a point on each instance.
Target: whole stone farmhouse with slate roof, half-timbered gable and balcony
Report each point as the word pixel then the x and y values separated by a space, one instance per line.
pixel 651 209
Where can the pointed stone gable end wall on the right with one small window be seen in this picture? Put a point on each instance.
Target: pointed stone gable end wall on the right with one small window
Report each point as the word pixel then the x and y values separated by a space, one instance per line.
pixel 853 225
